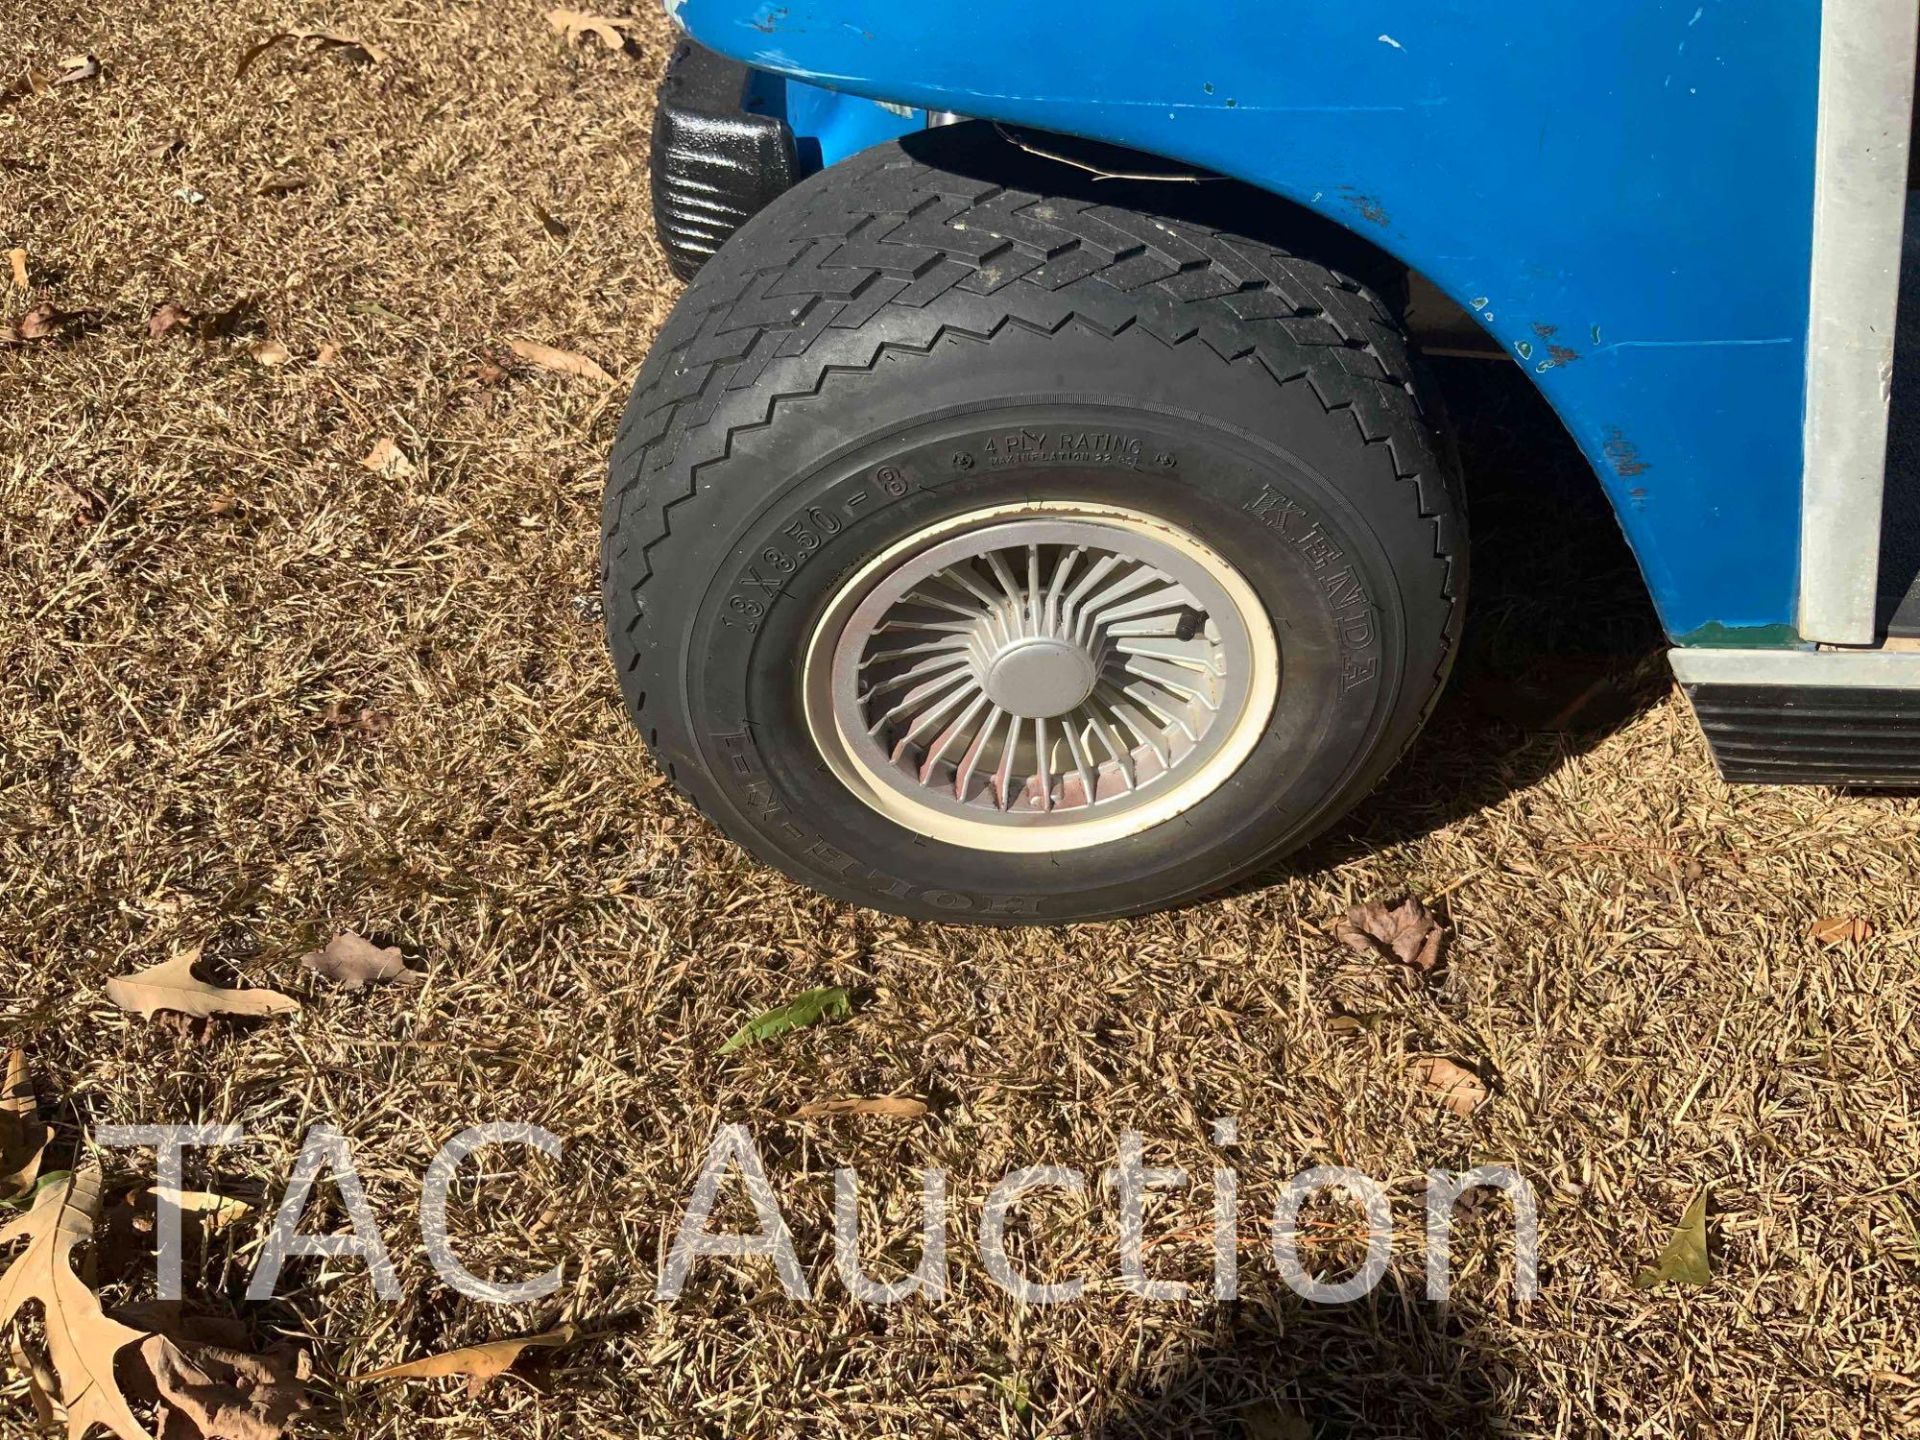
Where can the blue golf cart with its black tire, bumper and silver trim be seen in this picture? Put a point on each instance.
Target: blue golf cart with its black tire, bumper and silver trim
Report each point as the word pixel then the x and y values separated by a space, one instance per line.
pixel 1034 510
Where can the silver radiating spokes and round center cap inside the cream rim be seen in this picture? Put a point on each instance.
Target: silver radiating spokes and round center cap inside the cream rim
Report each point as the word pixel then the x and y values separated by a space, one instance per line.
pixel 1061 673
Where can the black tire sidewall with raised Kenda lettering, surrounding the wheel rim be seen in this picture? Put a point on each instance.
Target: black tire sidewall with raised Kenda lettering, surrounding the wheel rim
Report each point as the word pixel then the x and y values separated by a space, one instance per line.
pixel 761 579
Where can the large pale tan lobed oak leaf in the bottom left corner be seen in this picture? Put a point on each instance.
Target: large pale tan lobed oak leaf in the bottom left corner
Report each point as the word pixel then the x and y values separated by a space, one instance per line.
pixel 80 1337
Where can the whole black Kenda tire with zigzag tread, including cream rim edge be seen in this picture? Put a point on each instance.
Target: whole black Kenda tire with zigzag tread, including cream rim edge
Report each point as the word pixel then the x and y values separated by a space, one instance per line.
pixel 951 327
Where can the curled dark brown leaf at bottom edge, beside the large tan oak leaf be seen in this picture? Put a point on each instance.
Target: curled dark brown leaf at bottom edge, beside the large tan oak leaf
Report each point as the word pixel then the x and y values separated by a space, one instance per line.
pixel 210 1393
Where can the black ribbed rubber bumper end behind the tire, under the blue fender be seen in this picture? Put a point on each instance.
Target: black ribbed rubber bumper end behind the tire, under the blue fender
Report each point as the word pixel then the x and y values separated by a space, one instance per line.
pixel 715 160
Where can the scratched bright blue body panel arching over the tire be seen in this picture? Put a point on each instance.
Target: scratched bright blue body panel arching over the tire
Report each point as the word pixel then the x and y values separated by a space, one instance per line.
pixel 1637 172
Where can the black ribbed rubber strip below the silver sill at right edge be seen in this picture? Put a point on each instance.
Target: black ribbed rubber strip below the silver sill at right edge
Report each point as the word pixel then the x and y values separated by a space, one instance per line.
pixel 1812 736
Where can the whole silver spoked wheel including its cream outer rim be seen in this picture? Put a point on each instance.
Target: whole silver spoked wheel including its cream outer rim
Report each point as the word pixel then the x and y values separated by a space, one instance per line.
pixel 1042 677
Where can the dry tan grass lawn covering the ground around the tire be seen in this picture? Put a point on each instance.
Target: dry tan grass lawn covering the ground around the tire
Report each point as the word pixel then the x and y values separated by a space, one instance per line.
pixel 203 590
